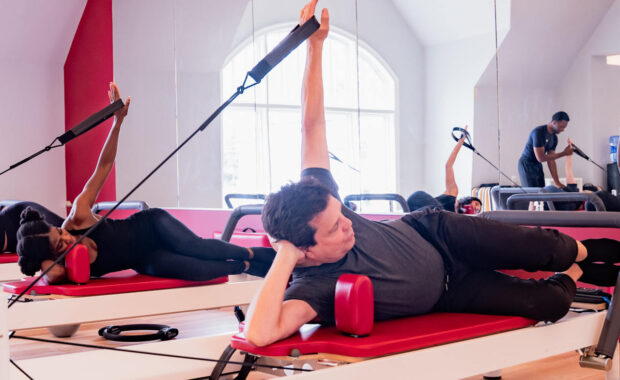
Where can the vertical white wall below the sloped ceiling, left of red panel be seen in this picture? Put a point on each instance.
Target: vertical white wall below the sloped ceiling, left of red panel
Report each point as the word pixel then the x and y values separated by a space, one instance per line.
pixel 33 115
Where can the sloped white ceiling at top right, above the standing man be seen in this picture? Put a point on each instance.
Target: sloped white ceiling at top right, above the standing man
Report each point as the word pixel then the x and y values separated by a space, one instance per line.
pixel 544 38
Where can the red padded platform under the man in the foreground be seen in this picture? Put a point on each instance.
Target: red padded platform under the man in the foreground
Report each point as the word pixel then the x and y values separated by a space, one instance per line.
pixel 388 337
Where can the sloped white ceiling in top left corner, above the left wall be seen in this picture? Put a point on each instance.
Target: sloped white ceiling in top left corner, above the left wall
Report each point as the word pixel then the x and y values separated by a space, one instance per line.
pixel 36 31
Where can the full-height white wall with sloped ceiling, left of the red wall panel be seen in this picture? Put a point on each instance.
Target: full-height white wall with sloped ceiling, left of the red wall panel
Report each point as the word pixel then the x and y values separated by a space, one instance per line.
pixel 35 43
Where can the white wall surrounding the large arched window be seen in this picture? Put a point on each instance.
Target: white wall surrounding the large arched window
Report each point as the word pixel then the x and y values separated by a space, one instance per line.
pixel 168 57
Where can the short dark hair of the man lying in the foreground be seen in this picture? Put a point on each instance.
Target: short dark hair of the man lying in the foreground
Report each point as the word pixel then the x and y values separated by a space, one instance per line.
pixel 287 213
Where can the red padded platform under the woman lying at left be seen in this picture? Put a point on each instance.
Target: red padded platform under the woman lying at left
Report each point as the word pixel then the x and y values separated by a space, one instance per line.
pixel 117 282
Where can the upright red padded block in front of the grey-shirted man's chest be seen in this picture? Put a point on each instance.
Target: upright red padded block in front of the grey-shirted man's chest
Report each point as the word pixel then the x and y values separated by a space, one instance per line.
pixel 354 304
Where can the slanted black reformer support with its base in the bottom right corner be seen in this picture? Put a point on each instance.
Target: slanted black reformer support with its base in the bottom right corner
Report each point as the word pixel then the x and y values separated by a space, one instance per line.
pixel 602 357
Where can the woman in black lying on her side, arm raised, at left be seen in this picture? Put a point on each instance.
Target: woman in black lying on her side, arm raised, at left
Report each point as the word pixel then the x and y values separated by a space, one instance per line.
pixel 150 242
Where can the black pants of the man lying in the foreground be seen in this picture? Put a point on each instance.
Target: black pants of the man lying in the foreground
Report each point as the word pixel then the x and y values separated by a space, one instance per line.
pixel 473 249
